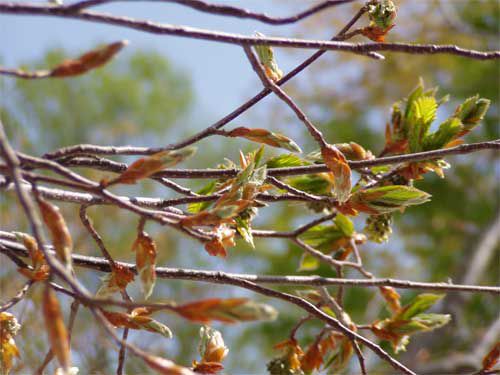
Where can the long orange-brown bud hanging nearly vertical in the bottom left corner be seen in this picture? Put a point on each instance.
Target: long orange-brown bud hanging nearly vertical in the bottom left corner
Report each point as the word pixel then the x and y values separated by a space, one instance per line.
pixel 56 330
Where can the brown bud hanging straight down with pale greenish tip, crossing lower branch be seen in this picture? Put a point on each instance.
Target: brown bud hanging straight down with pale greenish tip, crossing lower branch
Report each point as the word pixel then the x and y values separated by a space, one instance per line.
pixel 145 261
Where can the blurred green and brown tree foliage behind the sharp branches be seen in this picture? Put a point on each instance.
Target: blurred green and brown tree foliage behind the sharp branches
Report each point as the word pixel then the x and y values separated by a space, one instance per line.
pixel 142 99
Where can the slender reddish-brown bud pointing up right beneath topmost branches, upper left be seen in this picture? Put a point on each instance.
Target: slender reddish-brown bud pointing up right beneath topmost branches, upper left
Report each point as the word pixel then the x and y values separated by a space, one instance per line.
pixel 88 61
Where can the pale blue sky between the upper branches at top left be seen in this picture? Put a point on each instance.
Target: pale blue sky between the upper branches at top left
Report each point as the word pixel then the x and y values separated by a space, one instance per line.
pixel 220 73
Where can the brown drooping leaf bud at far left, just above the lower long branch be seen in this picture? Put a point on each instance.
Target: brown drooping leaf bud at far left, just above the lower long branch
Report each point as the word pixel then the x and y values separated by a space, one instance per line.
pixel 59 233
